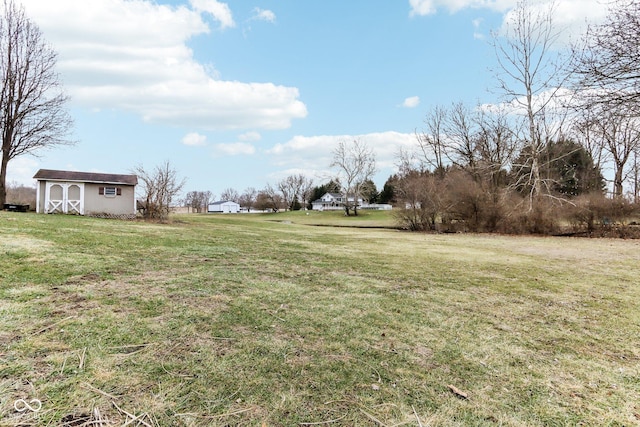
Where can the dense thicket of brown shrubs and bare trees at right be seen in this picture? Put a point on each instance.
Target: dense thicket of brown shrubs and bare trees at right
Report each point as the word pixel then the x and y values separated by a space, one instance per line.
pixel 535 162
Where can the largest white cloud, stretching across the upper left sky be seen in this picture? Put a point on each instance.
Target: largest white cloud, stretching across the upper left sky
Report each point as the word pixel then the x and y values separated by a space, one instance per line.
pixel 133 55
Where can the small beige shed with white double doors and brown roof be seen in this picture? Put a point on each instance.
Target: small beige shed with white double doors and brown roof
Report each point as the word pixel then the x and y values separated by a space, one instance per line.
pixel 86 193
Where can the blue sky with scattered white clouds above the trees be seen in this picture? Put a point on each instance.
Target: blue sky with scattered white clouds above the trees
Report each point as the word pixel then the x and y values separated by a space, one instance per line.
pixel 242 93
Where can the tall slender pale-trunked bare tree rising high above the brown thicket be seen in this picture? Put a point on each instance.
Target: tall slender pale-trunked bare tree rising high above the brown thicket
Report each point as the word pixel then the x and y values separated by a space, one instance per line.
pixel 530 75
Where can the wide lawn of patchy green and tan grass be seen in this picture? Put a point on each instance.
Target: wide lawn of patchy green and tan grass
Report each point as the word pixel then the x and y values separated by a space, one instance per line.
pixel 272 320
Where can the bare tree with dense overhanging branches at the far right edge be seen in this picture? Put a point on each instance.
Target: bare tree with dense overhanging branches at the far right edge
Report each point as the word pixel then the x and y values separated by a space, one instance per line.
pixel 608 80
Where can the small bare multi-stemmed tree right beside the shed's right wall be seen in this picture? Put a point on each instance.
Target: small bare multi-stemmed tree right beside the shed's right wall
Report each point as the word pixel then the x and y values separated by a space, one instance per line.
pixel 159 189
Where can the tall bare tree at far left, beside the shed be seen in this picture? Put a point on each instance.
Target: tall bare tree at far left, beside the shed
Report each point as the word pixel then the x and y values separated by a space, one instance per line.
pixel 32 113
